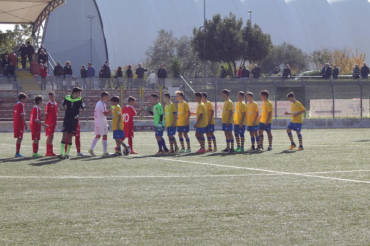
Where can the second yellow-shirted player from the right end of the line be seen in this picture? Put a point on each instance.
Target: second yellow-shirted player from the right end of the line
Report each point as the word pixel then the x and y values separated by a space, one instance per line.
pixel 265 120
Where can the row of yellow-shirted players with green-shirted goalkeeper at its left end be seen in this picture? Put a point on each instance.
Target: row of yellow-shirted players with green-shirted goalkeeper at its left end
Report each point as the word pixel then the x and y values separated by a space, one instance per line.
pixel 244 116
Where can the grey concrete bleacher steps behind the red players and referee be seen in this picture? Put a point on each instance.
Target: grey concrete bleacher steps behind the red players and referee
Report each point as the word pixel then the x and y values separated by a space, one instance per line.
pixel 8 98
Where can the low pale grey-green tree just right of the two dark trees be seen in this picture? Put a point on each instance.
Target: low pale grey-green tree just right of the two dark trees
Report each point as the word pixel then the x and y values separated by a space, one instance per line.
pixel 285 54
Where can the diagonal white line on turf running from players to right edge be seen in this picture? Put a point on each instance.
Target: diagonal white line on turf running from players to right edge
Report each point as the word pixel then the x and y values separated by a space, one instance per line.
pixel 266 170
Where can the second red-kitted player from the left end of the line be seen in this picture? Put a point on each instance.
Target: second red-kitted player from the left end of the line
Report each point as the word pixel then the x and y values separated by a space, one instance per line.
pixel 35 125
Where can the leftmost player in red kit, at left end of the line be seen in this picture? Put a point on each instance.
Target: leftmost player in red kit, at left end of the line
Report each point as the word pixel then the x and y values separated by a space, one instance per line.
pixel 19 122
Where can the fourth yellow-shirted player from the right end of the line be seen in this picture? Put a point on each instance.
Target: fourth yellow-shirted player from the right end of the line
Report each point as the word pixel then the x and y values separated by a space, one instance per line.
pixel 239 118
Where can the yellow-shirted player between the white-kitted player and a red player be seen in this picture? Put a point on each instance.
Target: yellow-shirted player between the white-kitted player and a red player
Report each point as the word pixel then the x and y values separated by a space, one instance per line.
pixel 117 127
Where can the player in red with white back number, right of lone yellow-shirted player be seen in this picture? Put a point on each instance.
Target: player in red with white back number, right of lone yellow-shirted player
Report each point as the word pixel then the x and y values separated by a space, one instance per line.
pixel 128 113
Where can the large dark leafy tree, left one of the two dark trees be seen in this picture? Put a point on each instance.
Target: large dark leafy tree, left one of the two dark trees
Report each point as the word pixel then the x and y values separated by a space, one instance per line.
pixel 220 40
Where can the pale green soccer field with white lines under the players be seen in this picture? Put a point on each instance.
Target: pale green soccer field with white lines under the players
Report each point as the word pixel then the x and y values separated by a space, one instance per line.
pixel 320 196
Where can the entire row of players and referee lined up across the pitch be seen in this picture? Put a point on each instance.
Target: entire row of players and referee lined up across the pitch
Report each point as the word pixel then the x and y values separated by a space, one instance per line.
pixel 244 116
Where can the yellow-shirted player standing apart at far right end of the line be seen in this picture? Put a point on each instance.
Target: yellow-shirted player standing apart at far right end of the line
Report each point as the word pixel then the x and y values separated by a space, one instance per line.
pixel 297 111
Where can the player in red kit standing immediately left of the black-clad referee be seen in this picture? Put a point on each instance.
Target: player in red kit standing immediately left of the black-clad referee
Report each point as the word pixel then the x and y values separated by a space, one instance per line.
pixel 51 117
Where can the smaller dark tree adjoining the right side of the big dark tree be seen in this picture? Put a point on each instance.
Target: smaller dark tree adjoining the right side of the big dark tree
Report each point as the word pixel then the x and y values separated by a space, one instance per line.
pixel 256 44
